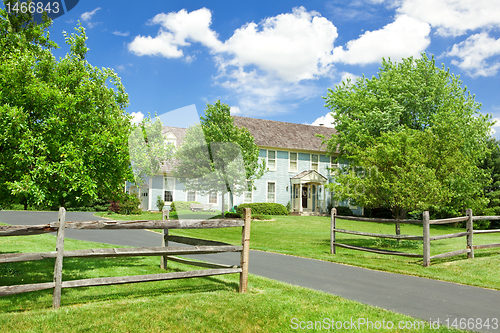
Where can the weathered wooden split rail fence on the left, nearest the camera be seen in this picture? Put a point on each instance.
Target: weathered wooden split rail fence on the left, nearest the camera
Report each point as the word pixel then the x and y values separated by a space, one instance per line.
pixel 199 246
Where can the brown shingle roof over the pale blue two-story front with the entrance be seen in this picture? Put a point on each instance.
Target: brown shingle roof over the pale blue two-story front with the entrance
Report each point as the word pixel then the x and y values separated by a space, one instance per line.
pixel 278 134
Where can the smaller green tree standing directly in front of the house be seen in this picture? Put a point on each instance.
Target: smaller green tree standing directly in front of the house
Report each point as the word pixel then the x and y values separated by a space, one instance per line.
pixel 217 155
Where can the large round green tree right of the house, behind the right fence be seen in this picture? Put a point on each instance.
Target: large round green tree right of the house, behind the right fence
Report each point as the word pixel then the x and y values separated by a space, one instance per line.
pixel 378 119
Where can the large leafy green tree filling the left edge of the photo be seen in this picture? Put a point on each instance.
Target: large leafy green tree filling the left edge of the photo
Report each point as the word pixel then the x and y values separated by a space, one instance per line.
pixel 63 126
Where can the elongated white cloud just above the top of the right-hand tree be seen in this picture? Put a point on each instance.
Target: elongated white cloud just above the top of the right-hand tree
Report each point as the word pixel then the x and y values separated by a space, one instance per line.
pixel 402 38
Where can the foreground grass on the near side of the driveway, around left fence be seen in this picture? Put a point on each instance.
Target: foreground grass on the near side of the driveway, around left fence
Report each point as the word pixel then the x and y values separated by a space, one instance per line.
pixel 210 304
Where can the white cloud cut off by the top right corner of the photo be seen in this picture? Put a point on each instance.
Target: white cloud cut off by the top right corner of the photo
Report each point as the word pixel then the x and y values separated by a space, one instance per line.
pixel 453 17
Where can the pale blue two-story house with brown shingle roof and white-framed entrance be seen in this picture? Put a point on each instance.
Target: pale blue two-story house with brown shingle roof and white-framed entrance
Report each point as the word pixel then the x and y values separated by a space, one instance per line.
pixel 298 169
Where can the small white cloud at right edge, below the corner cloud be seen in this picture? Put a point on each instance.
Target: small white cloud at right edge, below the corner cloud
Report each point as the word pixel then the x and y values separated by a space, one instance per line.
pixel 474 52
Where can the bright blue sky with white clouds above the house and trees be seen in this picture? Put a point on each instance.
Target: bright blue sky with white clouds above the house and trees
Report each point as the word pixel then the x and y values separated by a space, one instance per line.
pixel 276 59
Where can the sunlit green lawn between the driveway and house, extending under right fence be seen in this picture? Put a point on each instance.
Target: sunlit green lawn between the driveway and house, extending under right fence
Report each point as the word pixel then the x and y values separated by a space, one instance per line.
pixel 309 236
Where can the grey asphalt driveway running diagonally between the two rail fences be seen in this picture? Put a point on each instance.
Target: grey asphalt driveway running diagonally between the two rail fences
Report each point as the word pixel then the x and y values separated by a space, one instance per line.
pixel 418 297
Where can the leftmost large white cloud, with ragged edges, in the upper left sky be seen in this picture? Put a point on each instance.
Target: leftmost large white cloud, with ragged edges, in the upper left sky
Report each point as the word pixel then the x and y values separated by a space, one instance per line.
pixel 177 29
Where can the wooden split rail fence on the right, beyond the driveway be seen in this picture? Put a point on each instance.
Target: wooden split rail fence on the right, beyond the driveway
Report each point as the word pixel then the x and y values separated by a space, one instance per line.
pixel 426 238
